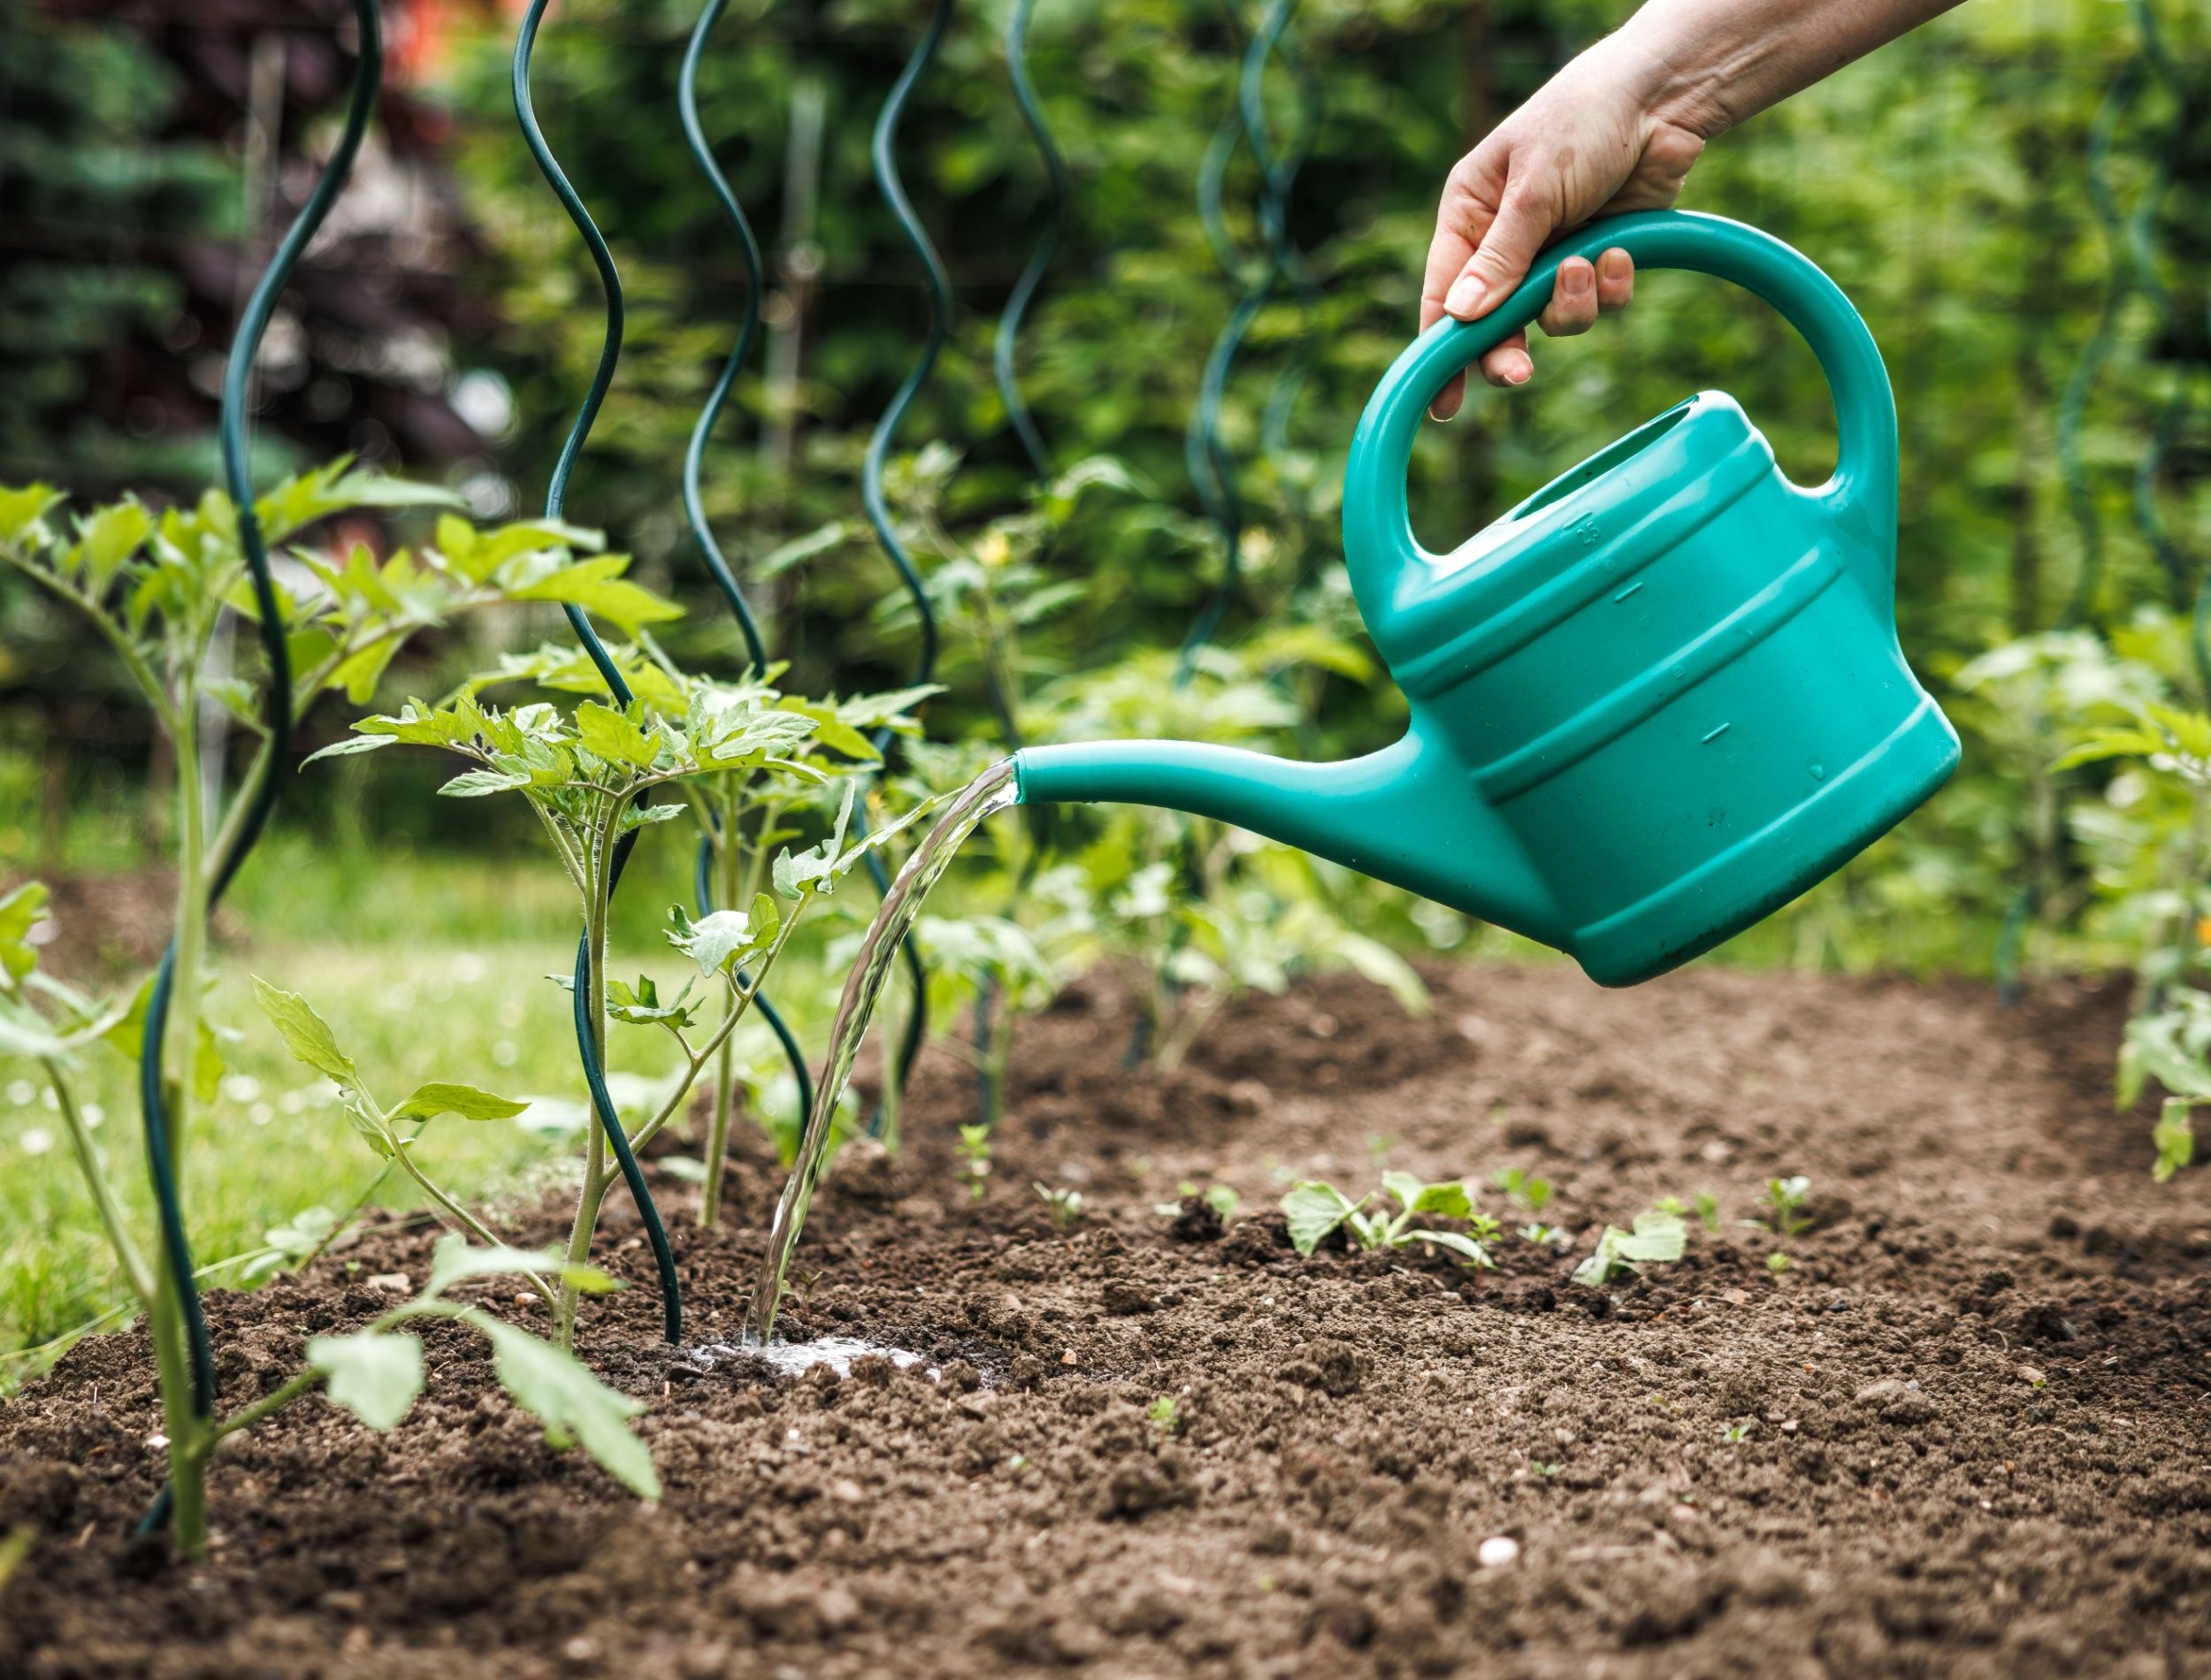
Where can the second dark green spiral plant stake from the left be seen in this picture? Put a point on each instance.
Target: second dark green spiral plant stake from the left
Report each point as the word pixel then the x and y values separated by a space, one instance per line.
pixel 589 1020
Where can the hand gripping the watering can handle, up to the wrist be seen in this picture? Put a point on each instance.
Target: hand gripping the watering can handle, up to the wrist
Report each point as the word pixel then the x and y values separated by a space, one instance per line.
pixel 1586 145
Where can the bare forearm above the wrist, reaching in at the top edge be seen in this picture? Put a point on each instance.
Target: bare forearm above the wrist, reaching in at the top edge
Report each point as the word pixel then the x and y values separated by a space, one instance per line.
pixel 1712 65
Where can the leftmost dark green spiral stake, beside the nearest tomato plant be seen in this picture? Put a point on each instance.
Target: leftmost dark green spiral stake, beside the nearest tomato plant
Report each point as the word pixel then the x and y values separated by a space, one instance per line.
pixel 163 1142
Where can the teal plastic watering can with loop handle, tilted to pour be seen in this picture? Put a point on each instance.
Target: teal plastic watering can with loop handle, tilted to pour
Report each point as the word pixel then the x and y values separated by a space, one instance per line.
pixel 1653 704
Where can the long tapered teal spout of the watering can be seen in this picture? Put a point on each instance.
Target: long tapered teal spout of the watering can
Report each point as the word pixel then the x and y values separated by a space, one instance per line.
pixel 1405 815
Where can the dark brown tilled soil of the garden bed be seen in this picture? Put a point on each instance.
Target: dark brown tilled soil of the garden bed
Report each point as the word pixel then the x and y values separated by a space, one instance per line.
pixel 1973 1414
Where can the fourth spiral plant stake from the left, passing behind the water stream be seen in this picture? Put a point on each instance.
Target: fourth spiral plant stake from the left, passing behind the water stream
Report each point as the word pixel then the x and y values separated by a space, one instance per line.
pixel 879 450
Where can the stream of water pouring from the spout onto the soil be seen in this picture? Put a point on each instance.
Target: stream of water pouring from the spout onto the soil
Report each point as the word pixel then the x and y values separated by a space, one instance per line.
pixel 989 795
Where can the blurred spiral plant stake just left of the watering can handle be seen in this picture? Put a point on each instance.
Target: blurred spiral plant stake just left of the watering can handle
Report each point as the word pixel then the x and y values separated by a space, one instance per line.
pixel 1204 452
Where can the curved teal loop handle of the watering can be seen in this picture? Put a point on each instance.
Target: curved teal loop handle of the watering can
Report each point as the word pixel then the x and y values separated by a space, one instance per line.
pixel 1379 532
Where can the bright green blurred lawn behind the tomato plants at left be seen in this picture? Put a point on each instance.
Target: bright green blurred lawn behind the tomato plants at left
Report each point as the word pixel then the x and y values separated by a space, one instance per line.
pixel 428 967
